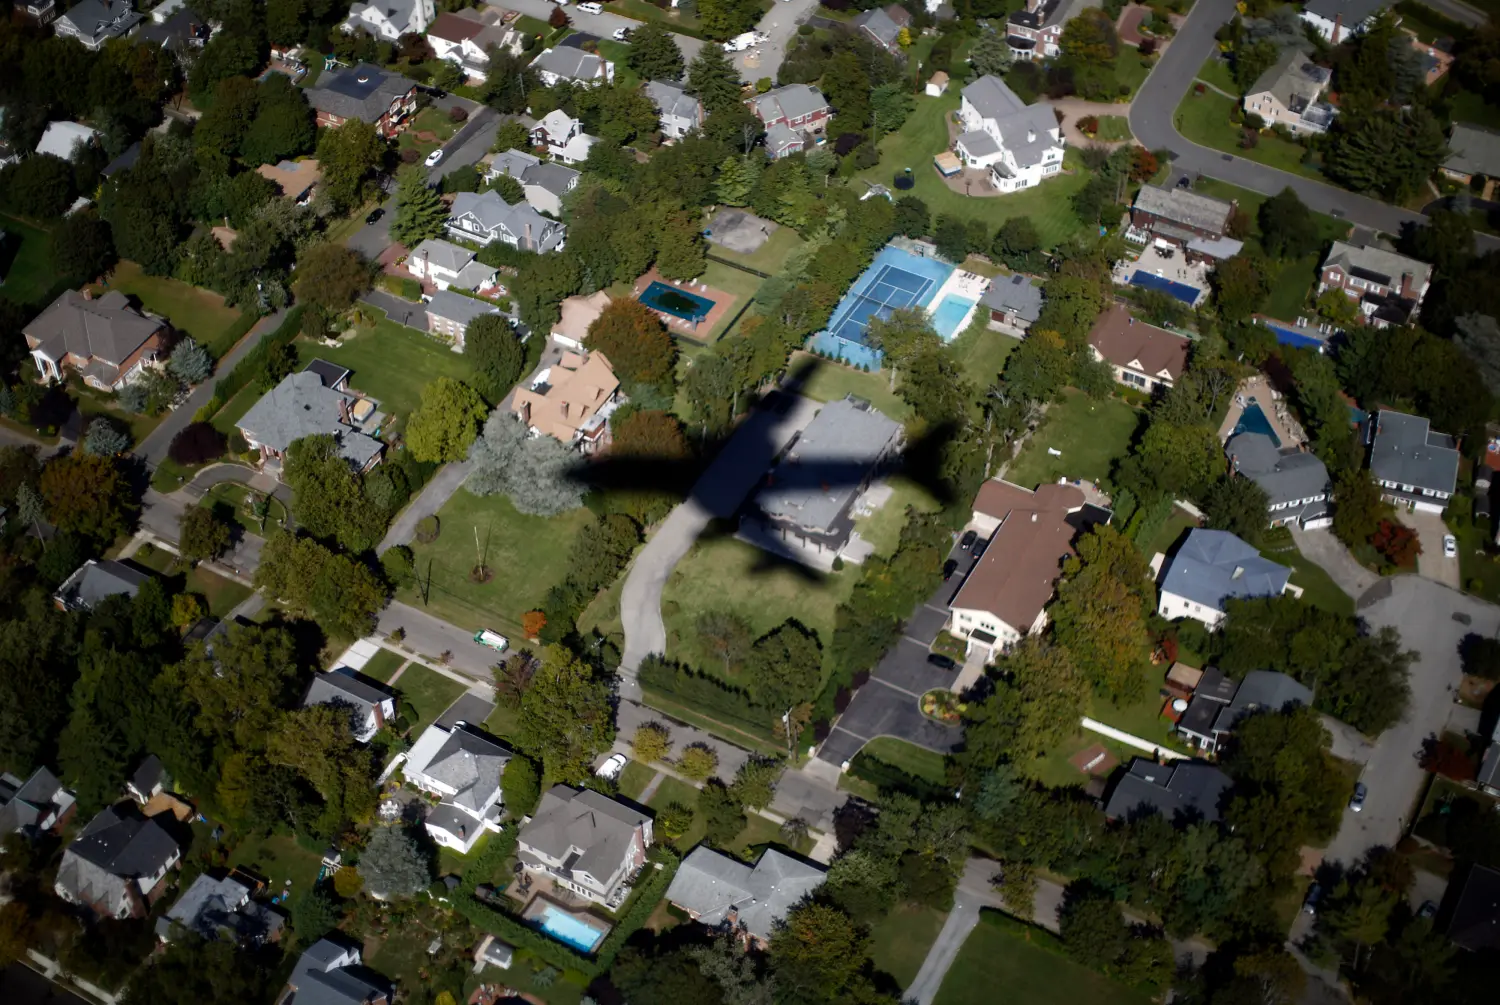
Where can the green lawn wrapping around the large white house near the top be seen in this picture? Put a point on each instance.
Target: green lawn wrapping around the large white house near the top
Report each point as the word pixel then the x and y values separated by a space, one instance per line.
pixel 926 136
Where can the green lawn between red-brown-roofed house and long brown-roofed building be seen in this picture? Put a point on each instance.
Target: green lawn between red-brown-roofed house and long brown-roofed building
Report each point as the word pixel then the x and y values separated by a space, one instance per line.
pixel 1090 434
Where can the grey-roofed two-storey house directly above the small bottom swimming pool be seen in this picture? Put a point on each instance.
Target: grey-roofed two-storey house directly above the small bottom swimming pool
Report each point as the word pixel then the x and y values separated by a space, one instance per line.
pixel 586 844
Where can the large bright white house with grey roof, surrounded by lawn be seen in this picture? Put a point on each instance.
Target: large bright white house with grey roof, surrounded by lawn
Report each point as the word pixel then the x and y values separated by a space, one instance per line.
pixel 1021 145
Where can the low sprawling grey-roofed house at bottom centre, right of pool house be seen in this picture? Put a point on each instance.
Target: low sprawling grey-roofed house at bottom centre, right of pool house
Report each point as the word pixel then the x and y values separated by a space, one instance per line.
pixel 725 893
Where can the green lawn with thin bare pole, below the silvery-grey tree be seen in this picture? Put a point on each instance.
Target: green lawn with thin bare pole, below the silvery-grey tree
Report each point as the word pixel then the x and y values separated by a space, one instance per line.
pixel 529 556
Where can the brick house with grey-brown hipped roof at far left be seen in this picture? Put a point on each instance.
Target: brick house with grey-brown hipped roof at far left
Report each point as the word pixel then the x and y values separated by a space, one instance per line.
pixel 104 340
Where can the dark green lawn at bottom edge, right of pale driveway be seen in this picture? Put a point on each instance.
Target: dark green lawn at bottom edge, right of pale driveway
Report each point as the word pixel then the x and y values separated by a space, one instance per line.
pixel 995 958
